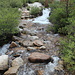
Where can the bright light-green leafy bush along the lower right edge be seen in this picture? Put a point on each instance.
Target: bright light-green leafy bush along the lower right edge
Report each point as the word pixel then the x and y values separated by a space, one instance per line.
pixel 68 52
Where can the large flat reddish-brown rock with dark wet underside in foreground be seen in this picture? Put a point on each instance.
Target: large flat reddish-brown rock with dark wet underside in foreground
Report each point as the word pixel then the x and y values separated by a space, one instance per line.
pixel 37 57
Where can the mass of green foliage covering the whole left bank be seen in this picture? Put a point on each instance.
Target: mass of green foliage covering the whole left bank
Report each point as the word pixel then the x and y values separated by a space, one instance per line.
pixel 9 19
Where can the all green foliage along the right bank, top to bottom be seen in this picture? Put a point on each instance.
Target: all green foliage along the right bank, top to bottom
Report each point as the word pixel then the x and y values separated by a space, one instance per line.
pixel 63 19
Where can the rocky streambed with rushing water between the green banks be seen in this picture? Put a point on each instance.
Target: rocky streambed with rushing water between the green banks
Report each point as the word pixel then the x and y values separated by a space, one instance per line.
pixel 34 52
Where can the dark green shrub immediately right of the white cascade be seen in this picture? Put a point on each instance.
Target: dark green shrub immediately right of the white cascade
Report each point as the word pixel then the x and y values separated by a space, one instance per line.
pixel 59 19
